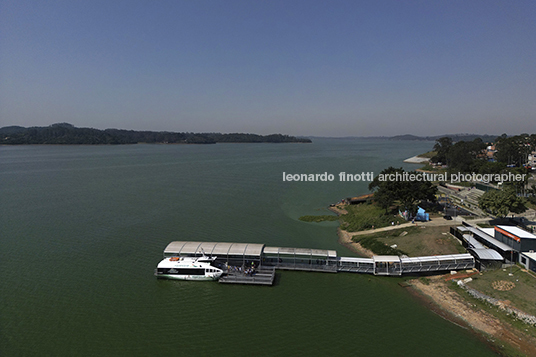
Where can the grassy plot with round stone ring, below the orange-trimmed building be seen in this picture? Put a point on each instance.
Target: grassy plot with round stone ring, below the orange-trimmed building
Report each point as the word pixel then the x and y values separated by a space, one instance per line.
pixel 521 296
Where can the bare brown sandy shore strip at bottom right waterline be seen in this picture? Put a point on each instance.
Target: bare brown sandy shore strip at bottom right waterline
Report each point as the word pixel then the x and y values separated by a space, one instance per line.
pixel 453 307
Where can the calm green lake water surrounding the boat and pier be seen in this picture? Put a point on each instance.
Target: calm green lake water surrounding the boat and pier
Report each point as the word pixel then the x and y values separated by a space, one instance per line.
pixel 83 227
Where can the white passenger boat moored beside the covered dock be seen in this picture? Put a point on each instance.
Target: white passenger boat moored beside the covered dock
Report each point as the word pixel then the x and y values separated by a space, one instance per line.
pixel 188 268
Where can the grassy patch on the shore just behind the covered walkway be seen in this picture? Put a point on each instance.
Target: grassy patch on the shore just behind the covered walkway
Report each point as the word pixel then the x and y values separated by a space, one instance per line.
pixel 419 241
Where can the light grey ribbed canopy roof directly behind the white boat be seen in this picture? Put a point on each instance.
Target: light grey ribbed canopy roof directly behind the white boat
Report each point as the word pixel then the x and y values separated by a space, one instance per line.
pixel 212 248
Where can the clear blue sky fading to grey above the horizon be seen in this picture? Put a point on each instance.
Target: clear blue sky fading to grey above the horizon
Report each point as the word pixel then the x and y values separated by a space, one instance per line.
pixel 325 68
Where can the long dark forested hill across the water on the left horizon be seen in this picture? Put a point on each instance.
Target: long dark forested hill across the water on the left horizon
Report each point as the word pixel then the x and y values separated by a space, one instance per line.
pixel 64 133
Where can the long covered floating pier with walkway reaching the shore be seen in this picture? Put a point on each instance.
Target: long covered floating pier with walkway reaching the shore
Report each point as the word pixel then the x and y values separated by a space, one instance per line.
pixel 237 257
